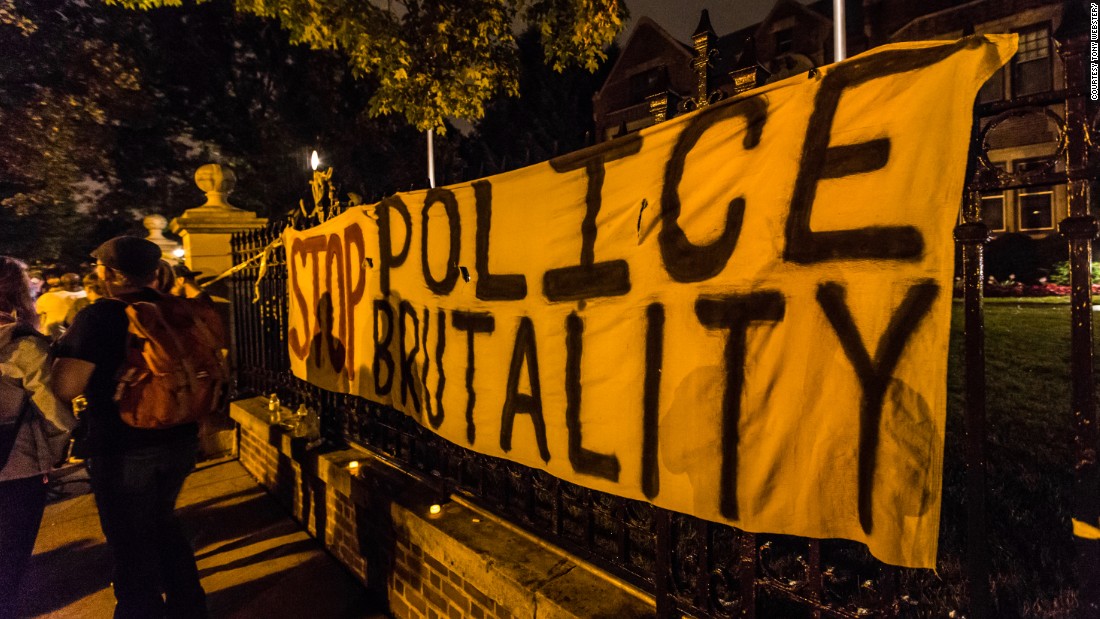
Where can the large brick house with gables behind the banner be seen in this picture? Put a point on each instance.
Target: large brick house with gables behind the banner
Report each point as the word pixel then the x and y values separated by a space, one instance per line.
pixel 658 78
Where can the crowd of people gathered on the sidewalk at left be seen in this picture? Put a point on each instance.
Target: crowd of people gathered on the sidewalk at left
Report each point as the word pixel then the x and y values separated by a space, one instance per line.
pixel 71 340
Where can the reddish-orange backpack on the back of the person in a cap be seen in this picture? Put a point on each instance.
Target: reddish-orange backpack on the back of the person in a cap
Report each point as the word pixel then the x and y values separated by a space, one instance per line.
pixel 174 372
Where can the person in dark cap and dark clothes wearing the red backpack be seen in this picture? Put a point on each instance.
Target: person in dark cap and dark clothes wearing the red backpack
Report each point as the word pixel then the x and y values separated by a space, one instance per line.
pixel 137 474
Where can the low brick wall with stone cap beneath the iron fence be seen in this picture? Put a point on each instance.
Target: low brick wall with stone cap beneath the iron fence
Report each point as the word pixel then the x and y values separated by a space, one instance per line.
pixel 458 563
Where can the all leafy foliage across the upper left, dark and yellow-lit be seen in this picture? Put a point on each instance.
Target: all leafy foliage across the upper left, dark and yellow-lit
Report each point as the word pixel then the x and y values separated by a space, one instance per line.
pixel 108 112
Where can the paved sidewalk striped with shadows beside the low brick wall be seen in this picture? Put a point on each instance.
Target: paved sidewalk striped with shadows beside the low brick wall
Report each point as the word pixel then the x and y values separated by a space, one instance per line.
pixel 254 559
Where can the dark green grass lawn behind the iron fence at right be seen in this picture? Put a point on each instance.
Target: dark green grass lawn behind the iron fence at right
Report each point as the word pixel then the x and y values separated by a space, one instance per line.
pixel 1031 457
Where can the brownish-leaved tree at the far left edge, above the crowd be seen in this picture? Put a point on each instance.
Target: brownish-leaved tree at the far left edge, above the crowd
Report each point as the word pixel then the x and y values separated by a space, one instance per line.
pixel 58 104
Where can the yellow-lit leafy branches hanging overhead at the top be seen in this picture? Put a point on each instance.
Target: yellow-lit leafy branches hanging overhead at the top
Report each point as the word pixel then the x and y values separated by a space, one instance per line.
pixel 433 60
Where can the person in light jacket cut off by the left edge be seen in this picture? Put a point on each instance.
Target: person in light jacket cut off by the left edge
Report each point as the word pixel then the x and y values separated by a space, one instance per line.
pixel 36 429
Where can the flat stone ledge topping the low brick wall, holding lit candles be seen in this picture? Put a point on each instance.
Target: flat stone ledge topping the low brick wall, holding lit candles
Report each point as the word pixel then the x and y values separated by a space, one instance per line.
pixel 527 577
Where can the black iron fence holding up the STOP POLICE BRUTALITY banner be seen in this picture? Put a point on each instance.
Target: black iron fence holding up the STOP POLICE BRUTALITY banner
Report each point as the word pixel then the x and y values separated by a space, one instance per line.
pixel 708 570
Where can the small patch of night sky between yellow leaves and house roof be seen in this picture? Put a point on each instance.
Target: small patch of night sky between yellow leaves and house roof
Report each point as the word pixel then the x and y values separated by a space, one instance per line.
pixel 681 17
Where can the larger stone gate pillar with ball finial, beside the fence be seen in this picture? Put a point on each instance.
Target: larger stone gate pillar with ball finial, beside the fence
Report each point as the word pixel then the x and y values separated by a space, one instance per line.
pixel 206 230
